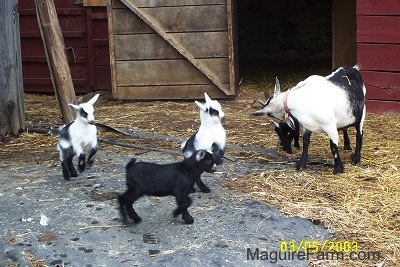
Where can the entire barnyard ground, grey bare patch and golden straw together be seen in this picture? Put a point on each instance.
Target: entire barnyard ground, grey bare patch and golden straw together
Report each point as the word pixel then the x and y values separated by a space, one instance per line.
pixel 84 228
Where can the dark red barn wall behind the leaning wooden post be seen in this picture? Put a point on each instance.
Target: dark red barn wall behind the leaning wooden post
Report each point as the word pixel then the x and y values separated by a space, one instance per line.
pixel 86 40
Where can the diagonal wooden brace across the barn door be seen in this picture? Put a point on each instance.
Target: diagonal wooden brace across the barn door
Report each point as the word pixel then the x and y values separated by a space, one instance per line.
pixel 180 48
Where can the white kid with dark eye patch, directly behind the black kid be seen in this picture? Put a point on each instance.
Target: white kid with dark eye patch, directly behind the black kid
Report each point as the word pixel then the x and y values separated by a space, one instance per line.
pixel 211 135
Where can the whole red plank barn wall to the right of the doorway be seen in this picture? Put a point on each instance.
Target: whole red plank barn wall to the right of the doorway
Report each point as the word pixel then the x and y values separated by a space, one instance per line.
pixel 378 53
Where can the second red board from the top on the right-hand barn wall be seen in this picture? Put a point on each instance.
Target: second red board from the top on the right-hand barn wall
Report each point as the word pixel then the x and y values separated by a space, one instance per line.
pixel 378 29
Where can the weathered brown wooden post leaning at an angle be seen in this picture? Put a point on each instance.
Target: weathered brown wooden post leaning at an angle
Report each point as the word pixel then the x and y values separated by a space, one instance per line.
pixel 56 57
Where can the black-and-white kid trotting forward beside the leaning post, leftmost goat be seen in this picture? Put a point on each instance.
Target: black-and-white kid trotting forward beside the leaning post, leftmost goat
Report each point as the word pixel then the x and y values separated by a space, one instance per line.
pixel 75 136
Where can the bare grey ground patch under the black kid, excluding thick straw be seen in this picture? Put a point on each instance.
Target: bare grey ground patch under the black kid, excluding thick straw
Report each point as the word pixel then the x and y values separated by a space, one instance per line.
pixel 84 228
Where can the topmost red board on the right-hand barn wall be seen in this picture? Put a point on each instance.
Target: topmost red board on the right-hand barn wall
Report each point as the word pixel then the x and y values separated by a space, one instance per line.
pixel 378 7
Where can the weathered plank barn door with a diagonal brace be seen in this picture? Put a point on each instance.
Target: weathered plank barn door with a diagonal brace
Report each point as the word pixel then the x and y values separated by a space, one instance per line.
pixel 172 49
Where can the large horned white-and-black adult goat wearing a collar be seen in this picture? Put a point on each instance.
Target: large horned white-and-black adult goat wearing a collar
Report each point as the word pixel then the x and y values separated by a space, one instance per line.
pixel 327 104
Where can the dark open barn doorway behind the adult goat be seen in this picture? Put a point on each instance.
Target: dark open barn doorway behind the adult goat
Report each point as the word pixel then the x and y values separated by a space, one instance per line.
pixel 292 40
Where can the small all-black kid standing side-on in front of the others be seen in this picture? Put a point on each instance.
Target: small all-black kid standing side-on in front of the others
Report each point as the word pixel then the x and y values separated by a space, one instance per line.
pixel 176 179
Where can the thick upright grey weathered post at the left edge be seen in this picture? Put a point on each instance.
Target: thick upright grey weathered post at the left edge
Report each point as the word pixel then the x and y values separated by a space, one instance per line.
pixel 12 112
